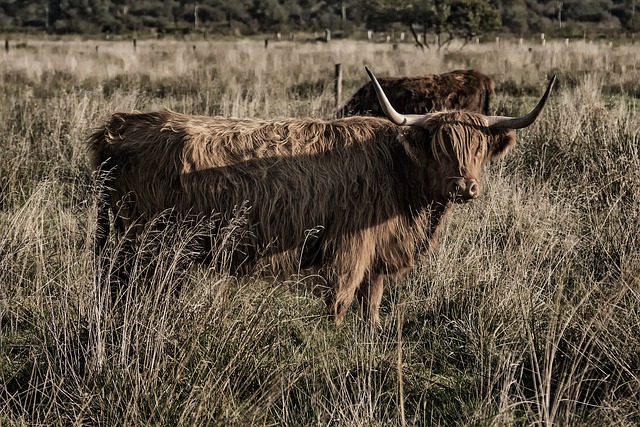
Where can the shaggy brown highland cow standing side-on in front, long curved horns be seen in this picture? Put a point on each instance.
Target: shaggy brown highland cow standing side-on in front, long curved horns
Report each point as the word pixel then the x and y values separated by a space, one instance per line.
pixel 359 198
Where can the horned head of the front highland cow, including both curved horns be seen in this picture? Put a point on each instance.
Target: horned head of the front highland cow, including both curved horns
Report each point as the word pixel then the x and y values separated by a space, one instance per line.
pixel 460 142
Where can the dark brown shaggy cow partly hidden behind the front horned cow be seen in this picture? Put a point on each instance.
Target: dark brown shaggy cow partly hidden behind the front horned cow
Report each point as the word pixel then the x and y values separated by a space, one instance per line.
pixel 468 90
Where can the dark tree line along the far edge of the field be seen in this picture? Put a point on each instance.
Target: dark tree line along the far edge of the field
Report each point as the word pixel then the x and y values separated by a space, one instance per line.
pixel 452 18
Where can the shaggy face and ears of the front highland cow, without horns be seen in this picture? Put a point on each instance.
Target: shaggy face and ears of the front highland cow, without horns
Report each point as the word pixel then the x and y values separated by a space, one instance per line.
pixel 459 144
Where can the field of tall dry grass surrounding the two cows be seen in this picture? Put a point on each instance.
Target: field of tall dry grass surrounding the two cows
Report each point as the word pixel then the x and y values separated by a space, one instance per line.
pixel 528 313
